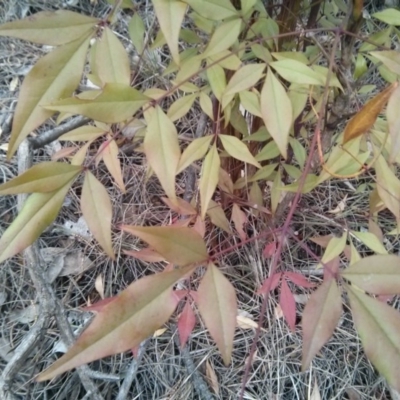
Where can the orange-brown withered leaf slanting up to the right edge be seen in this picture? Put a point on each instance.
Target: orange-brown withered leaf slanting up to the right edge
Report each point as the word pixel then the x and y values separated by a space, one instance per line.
pixel 366 117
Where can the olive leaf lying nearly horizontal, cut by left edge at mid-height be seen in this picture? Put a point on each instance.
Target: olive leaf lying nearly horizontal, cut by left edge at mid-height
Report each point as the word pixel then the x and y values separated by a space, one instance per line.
pixel 45 177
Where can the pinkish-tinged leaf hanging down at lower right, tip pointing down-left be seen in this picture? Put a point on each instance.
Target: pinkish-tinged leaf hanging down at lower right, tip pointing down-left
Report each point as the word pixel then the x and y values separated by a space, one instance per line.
pixel 320 318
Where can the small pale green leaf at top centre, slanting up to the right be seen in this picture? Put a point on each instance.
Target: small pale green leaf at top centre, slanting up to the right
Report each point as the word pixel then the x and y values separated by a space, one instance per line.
pixel 224 37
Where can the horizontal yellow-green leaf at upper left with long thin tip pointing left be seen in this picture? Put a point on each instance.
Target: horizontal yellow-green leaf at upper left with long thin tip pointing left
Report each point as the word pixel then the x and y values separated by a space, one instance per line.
pixel 116 103
